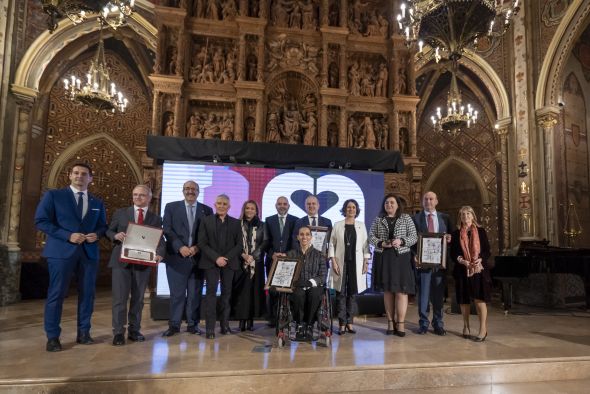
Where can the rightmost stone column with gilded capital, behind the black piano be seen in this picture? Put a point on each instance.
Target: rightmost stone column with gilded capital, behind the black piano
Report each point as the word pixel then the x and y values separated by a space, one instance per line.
pixel 546 120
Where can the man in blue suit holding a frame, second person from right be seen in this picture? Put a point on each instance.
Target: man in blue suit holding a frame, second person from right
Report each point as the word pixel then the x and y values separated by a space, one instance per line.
pixel 431 280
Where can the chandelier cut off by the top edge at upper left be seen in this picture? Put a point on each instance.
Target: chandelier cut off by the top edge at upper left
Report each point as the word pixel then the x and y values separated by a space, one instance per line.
pixel 111 12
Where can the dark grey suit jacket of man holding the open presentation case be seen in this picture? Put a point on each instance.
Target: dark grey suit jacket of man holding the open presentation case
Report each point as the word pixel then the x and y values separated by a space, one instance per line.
pixel 119 222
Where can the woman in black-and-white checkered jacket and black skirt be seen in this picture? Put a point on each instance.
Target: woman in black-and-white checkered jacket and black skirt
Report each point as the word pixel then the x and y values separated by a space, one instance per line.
pixel 392 234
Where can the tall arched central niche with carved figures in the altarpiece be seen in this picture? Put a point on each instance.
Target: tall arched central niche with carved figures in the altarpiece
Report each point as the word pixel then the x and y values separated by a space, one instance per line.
pixel 292 116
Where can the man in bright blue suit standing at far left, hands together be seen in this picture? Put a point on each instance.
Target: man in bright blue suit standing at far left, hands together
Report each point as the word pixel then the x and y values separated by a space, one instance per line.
pixel 73 221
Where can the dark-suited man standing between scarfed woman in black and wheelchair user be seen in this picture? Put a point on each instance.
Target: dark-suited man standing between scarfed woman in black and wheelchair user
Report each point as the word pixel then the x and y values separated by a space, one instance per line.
pixel 277 231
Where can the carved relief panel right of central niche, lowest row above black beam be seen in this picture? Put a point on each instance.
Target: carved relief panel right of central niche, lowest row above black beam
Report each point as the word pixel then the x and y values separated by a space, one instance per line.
pixel 367 130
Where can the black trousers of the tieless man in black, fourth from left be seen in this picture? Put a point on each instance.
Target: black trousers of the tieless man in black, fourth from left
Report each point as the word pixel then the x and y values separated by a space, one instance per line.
pixel 213 277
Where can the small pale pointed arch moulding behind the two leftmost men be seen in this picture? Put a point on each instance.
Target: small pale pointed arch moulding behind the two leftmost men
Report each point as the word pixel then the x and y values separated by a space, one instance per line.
pixel 54 172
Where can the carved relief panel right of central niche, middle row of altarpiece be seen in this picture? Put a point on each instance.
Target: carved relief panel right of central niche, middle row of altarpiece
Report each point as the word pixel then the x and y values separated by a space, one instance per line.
pixel 367 75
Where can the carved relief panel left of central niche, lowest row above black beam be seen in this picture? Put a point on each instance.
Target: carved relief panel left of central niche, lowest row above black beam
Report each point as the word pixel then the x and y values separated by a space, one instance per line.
pixel 210 119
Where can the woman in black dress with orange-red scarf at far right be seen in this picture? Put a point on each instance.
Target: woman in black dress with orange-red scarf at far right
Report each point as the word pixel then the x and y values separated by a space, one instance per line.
pixel 470 250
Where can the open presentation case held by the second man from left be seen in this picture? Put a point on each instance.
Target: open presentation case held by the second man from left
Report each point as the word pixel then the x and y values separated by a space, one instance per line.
pixel 140 245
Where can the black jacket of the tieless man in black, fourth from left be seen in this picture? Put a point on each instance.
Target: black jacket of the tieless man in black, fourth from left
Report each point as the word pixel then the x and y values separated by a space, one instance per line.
pixel 211 248
